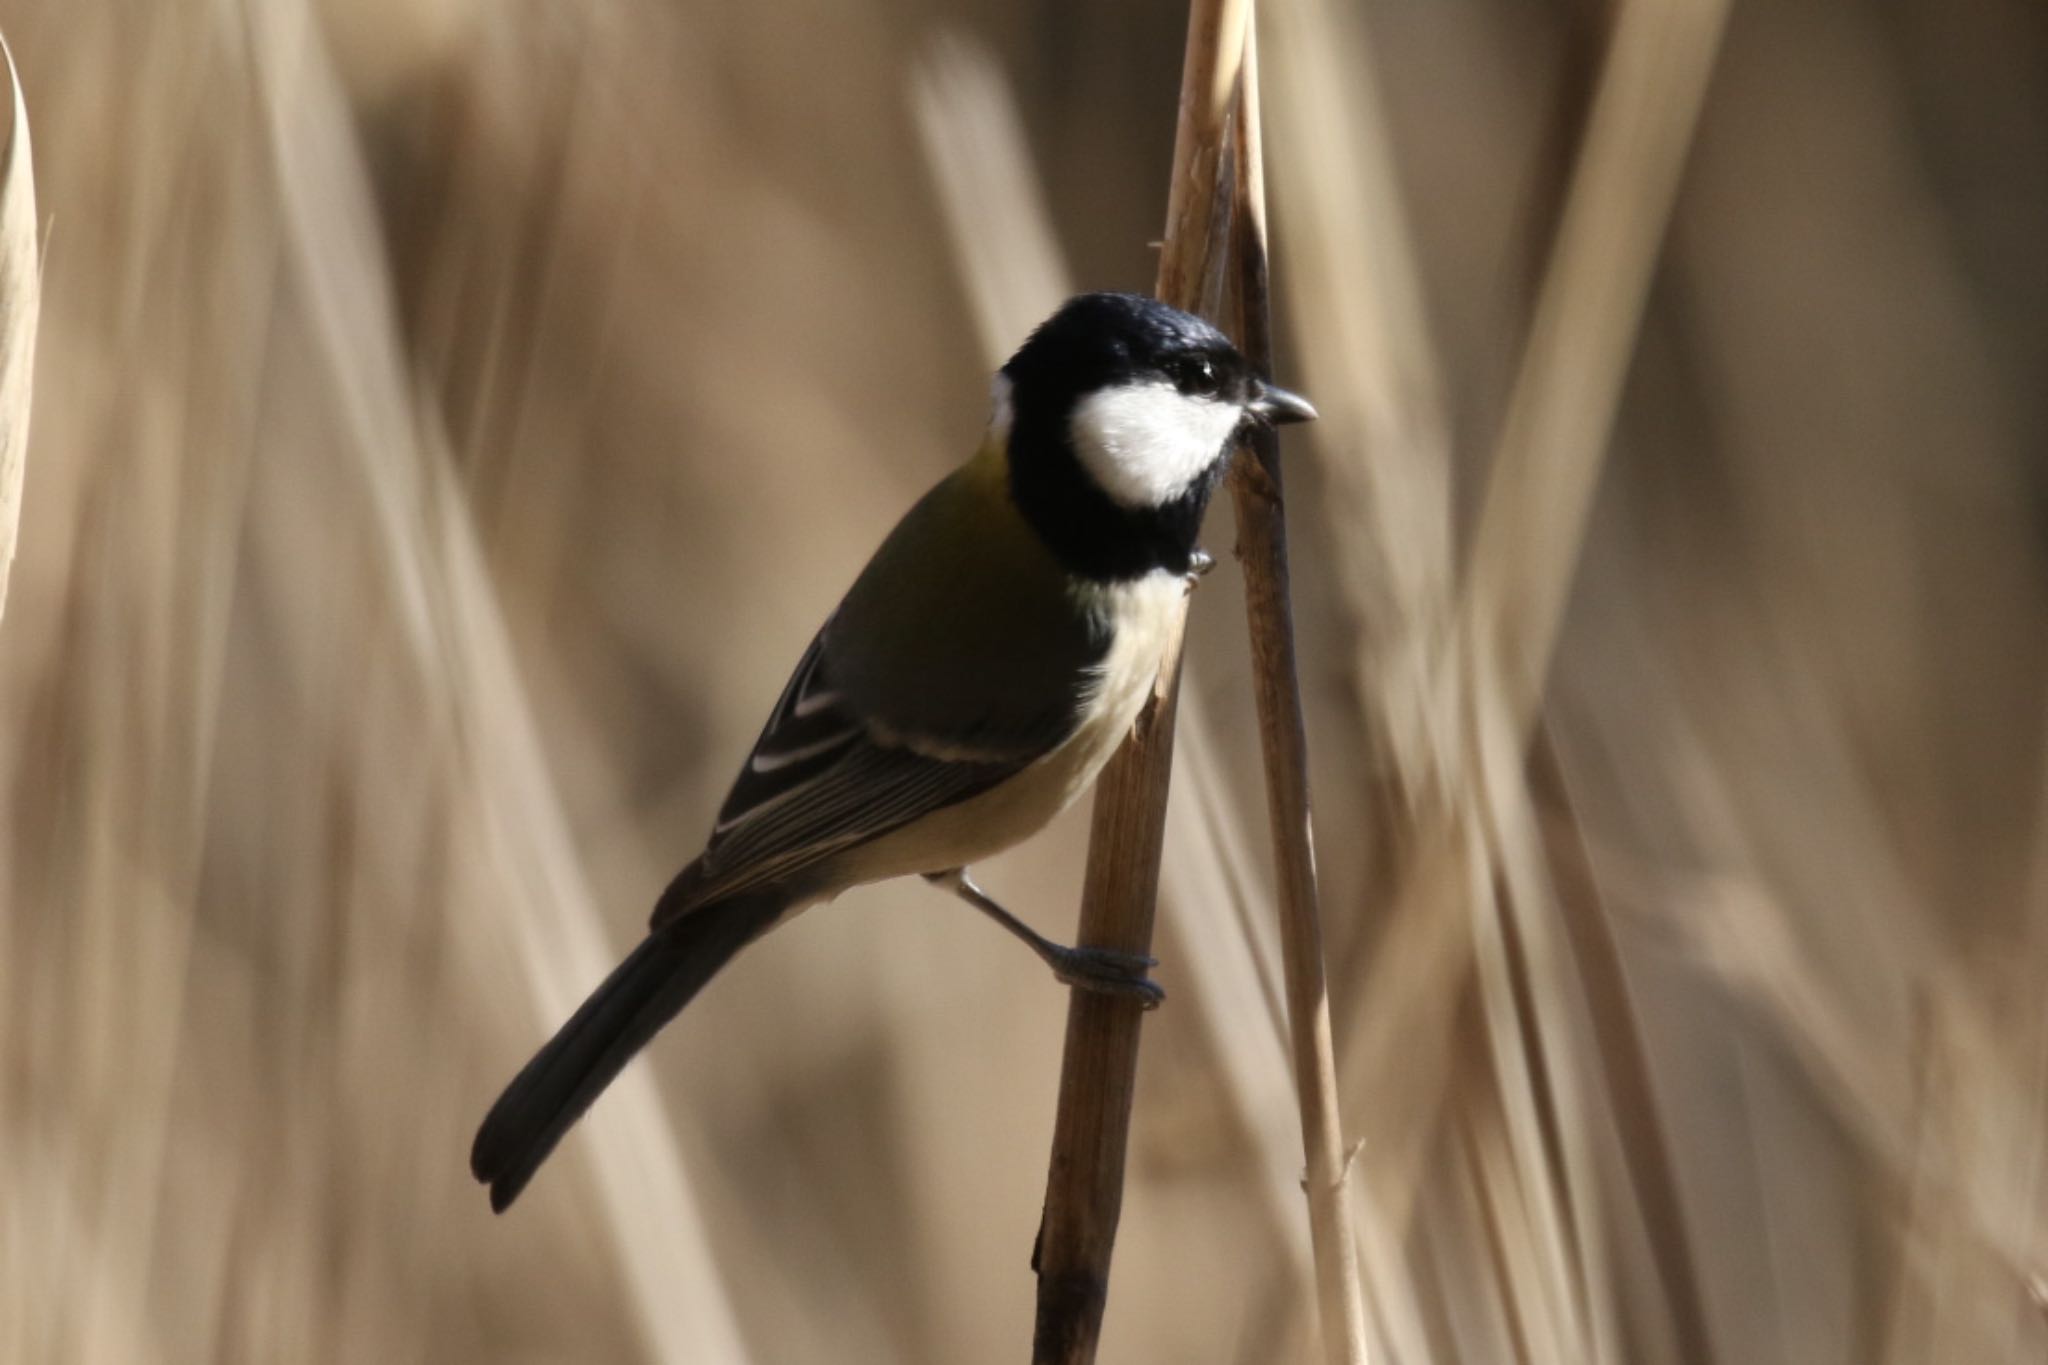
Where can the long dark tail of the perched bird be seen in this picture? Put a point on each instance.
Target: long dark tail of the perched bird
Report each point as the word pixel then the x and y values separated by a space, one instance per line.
pixel 644 994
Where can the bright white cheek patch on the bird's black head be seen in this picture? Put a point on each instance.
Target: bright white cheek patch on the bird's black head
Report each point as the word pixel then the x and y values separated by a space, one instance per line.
pixel 1144 445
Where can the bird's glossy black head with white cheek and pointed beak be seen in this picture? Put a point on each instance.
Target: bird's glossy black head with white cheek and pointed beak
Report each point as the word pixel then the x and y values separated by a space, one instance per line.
pixel 1123 414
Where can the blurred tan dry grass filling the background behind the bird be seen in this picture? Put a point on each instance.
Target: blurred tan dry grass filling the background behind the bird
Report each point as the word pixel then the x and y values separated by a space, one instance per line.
pixel 454 419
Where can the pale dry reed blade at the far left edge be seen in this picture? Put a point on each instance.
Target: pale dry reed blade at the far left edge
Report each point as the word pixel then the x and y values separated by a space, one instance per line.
pixel 22 304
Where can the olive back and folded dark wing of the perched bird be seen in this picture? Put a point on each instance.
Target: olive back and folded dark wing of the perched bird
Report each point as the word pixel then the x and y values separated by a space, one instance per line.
pixel 955 662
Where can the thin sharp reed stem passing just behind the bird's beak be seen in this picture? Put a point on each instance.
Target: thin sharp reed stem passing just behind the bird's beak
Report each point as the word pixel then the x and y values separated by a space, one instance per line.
pixel 1285 744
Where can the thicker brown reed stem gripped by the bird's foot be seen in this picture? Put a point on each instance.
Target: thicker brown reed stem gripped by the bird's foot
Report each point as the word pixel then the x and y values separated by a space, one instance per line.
pixel 1099 1073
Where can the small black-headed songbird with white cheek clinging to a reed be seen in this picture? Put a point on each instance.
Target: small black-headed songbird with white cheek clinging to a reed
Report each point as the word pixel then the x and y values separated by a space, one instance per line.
pixel 974 682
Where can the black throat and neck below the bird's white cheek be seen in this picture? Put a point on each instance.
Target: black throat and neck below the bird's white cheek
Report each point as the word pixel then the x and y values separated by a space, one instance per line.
pixel 1093 535
